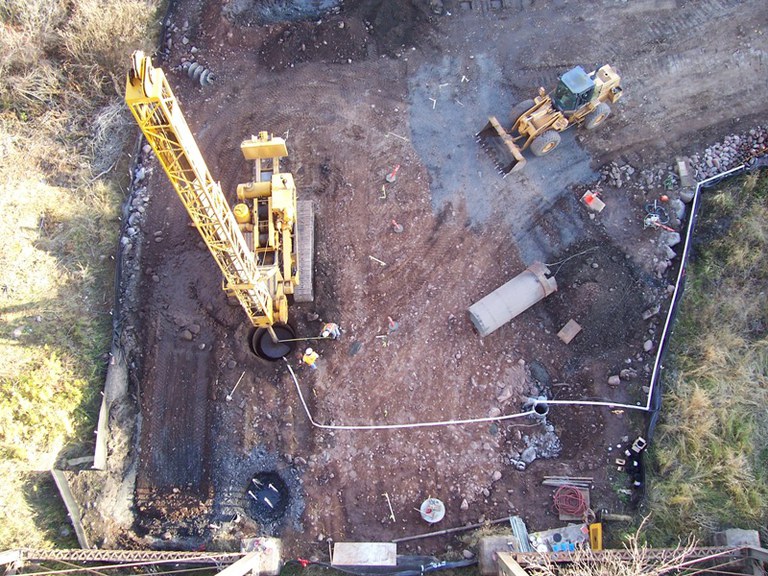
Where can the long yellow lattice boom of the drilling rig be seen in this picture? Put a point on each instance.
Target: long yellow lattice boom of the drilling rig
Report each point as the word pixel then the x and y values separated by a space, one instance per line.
pixel 157 112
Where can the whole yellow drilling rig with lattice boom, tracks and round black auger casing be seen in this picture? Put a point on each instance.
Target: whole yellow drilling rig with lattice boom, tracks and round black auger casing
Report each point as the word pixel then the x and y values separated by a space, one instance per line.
pixel 264 245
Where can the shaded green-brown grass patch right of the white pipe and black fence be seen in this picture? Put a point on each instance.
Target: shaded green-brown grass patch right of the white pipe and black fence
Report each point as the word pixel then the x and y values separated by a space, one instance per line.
pixel 708 456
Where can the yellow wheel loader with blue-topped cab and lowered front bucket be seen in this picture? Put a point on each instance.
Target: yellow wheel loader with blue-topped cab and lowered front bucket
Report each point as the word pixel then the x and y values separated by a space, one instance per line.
pixel 578 98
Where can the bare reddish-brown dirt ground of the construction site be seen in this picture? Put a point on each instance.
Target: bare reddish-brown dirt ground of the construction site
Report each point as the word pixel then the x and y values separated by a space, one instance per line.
pixel 358 91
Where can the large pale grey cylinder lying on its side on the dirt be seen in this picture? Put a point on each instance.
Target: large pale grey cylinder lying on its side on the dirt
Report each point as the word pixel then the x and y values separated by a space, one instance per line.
pixel 511 299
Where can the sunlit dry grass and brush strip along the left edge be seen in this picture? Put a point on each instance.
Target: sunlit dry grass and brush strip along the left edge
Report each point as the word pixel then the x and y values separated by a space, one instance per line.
pixel 62 132
